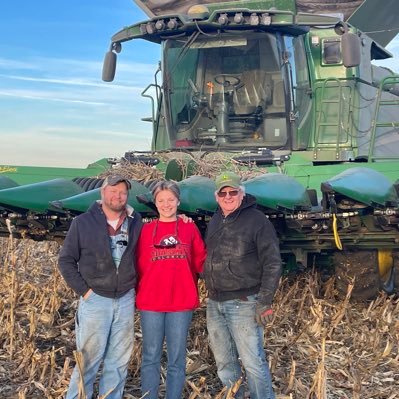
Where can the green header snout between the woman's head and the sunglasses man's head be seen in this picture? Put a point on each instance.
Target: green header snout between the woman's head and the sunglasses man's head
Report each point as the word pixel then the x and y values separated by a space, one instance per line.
pixel 197 194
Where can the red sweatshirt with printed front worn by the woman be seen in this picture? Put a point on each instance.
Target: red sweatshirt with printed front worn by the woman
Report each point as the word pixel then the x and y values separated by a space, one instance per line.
pixel 168 275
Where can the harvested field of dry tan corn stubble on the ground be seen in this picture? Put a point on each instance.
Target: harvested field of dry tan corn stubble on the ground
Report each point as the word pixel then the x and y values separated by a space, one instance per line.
pixel 318 346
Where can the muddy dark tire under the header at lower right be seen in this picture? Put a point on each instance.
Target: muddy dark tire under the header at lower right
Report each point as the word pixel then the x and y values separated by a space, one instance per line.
pixel 361 267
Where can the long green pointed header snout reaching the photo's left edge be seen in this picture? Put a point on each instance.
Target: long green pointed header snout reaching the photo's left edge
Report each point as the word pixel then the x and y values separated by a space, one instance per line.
pixel 36 197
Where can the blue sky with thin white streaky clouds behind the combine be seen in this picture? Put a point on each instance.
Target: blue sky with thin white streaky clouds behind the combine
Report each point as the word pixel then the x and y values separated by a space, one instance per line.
pixel 54 108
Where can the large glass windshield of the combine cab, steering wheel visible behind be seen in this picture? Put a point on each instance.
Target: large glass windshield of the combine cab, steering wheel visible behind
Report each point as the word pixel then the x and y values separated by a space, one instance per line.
pixel 226 91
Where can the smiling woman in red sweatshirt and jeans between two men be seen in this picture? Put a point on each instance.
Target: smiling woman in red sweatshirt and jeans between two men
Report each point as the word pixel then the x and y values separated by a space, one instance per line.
pixel 170 254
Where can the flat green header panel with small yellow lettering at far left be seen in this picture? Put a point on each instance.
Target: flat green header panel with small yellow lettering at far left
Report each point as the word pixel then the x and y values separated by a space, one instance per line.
pixel 34 174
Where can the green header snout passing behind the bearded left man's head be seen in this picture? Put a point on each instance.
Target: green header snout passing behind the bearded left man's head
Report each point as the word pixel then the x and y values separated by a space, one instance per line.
pixel 82 202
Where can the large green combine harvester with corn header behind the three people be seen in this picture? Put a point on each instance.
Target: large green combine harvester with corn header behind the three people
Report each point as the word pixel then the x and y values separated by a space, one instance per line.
pixel 282 86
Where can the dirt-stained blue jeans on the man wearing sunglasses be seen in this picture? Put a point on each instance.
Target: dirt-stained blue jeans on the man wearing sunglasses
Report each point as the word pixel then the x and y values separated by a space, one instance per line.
pixel 233 335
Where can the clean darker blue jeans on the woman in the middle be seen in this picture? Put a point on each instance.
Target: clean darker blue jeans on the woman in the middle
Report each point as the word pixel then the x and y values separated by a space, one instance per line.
pixel 155 326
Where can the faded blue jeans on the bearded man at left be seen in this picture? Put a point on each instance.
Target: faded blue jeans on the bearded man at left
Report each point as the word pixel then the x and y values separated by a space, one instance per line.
pixel 104 334
